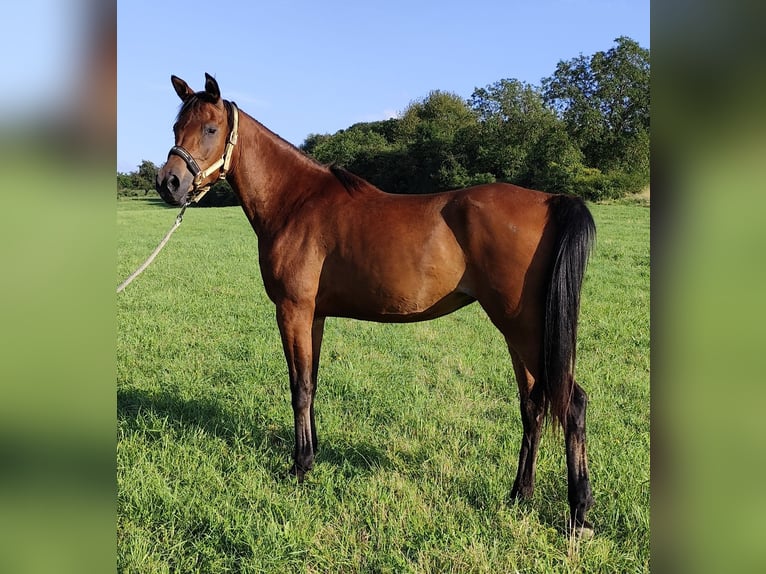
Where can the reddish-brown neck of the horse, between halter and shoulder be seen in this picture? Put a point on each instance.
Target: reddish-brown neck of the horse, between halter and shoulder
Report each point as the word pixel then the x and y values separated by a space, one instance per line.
pixel 269 175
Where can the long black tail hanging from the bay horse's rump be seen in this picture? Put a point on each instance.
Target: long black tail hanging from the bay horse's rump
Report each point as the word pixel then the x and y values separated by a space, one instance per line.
pixel 575 235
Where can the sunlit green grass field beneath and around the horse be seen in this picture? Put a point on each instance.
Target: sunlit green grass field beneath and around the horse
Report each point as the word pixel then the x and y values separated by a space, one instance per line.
pixel 418 424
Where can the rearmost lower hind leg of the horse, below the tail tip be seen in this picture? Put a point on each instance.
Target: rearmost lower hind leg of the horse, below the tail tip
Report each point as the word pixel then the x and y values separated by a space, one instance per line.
pixel 580 497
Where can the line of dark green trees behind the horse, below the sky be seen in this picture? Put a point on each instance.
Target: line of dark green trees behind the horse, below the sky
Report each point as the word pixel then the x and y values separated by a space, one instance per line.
pixel 584 130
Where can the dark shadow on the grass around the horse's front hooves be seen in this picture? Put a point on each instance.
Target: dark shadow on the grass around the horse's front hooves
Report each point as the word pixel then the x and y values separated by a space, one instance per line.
pixel 275 441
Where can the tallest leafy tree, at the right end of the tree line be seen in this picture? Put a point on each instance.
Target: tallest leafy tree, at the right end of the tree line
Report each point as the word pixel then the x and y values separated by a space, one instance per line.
pixel 604 102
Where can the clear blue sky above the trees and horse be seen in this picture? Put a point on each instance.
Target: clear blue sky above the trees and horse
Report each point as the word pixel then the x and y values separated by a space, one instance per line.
pixel 303 67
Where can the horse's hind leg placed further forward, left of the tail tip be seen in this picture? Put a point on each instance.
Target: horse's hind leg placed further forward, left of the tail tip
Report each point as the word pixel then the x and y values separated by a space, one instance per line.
pixel 532 406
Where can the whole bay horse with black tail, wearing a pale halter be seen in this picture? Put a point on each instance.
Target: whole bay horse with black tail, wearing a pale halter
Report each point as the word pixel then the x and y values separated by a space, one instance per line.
pixel 331 244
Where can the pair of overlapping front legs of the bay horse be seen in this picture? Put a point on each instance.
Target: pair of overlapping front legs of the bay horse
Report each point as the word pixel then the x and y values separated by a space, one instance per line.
pixel 295 327
